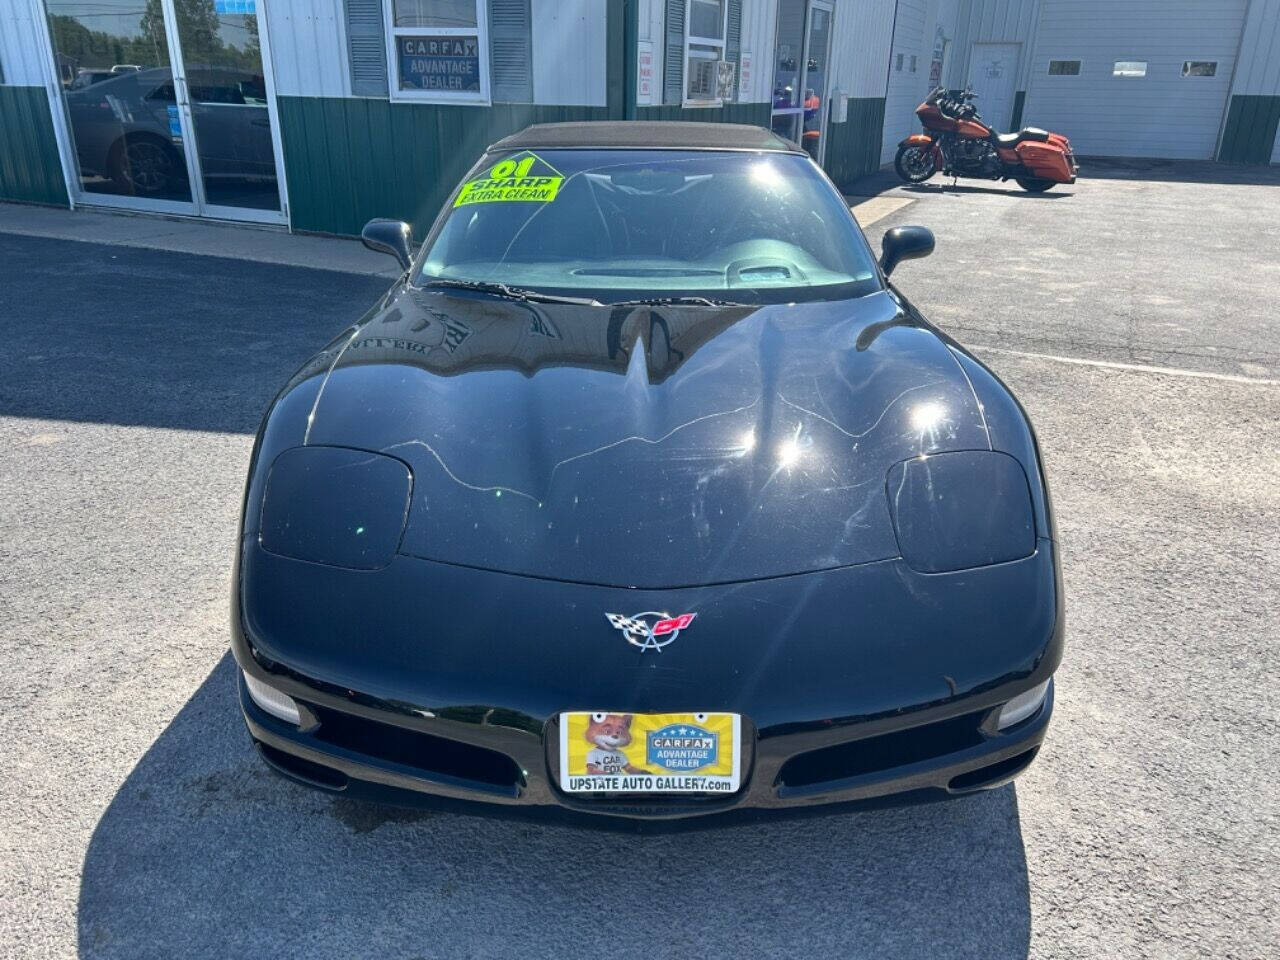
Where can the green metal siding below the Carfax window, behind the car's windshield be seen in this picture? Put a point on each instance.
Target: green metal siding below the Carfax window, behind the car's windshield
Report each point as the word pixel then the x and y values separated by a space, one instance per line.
pixel 349 161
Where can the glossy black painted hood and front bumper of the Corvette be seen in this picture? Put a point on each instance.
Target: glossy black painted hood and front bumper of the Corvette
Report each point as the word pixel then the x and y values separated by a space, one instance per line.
pixel 486 641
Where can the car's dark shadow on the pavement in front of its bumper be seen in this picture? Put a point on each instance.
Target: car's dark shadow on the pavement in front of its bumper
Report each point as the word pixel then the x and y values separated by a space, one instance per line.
pixel 204 853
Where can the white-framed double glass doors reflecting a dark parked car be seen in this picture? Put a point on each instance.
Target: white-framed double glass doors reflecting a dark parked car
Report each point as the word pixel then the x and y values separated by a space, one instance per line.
pixel 168 106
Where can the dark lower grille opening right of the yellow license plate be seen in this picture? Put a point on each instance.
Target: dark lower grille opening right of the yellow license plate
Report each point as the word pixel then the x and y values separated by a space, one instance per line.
pixel 883 753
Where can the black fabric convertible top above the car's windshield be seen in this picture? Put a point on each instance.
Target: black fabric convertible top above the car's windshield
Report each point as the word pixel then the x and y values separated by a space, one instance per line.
pixel 653 135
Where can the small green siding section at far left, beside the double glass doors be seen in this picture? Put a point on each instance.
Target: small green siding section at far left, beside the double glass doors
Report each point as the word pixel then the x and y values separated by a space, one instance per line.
pixel 30 168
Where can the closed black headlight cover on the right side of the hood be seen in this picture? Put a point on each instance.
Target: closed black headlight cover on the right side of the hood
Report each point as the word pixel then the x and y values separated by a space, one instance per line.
pixel 961 510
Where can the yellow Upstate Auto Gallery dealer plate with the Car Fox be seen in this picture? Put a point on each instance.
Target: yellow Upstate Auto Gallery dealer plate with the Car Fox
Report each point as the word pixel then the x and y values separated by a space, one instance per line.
pixel 650 753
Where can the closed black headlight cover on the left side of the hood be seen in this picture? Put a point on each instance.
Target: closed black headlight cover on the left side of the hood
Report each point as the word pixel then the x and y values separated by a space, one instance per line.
pixel 336 506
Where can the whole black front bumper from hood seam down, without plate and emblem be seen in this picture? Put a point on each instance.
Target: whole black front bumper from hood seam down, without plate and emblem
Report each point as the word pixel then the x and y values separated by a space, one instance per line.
pixel 431 684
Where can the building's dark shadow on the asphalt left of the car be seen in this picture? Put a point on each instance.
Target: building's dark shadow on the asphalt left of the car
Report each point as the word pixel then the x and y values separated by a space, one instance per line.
pixel 156 339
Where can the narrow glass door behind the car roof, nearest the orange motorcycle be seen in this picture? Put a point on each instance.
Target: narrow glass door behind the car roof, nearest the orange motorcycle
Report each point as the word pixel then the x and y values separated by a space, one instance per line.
pixel 802 70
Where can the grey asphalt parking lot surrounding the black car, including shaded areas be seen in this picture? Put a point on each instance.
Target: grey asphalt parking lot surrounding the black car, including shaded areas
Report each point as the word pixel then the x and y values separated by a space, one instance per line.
pixel 136 822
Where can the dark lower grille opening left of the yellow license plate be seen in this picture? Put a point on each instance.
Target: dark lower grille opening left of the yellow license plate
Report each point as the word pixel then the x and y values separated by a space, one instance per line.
pixel 410 748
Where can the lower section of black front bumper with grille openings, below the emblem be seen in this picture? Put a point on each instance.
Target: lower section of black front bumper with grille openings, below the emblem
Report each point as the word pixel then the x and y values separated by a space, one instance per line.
pixel 378 752
